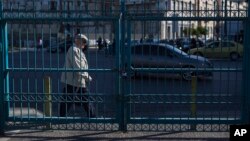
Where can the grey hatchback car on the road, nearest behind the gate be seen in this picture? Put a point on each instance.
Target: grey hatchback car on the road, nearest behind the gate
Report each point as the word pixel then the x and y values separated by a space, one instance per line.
pixel 166 56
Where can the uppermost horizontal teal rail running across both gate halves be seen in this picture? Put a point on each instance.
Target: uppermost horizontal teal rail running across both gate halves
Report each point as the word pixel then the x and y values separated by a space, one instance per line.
pixel 180 16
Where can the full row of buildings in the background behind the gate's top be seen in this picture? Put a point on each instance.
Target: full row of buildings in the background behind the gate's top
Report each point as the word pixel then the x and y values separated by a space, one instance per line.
pixel 106 8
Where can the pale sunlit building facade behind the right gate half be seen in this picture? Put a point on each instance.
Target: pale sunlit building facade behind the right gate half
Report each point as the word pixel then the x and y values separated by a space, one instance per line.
pixel 174 29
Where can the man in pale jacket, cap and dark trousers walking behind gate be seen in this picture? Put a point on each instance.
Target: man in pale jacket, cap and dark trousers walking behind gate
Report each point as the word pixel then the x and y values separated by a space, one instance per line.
pixel 76 81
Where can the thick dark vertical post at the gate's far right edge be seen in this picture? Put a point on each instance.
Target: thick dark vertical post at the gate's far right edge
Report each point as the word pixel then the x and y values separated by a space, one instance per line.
pixel 245 113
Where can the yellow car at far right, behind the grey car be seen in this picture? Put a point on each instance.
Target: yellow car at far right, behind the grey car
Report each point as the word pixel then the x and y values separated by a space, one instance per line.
pixel 220 49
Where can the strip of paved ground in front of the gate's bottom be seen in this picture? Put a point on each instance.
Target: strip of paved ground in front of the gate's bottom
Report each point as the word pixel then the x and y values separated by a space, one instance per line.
pixel 113 136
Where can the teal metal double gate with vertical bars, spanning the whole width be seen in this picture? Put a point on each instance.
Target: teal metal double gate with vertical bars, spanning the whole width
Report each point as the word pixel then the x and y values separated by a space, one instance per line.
pixel 163 65
